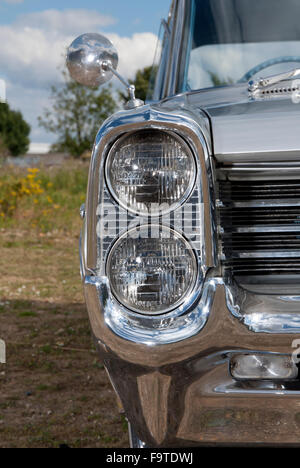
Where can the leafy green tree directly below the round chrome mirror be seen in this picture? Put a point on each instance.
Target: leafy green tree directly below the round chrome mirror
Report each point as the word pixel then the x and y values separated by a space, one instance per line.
pixel 76 115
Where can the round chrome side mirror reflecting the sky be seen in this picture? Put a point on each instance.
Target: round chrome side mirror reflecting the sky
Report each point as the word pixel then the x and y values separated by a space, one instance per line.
pixel 86 56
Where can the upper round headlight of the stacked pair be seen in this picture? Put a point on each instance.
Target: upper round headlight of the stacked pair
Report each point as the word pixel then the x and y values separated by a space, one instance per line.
pixel 150 172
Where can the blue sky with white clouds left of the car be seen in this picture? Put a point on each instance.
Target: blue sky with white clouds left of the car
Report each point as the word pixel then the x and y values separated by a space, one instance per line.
pixel 34 36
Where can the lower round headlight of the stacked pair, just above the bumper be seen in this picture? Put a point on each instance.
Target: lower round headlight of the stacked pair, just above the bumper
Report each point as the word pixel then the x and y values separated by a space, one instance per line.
pixel 152 269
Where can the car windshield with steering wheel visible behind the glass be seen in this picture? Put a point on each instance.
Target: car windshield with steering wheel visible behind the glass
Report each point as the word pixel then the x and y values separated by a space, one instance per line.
pixel 233 41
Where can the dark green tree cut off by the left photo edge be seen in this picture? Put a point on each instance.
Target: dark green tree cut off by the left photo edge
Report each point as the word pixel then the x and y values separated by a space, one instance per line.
pixel 14 131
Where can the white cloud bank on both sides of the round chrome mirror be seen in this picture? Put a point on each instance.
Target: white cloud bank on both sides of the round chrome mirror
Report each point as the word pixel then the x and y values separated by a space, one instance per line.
pixel 34 49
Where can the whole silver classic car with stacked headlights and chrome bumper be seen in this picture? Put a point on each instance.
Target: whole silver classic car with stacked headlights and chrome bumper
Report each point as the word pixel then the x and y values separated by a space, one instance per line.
pixel 190 253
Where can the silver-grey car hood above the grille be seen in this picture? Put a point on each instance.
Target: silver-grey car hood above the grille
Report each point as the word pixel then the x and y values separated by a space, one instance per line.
pixel 247 129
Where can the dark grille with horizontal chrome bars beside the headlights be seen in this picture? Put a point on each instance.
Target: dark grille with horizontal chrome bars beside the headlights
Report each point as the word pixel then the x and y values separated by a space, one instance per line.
pixel 260 220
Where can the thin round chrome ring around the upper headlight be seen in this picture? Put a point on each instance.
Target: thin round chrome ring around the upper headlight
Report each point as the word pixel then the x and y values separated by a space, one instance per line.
pixel 161 212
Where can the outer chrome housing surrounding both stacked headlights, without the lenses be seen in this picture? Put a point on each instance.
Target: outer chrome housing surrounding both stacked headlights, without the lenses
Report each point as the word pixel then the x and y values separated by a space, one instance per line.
pixel 192 315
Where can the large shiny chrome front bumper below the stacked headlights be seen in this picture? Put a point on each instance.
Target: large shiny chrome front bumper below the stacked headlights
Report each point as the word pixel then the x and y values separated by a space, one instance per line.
pixel 182 394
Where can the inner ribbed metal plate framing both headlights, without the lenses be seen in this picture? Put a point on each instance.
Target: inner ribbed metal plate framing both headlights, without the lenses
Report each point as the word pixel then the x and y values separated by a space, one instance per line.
pixel 193 230
